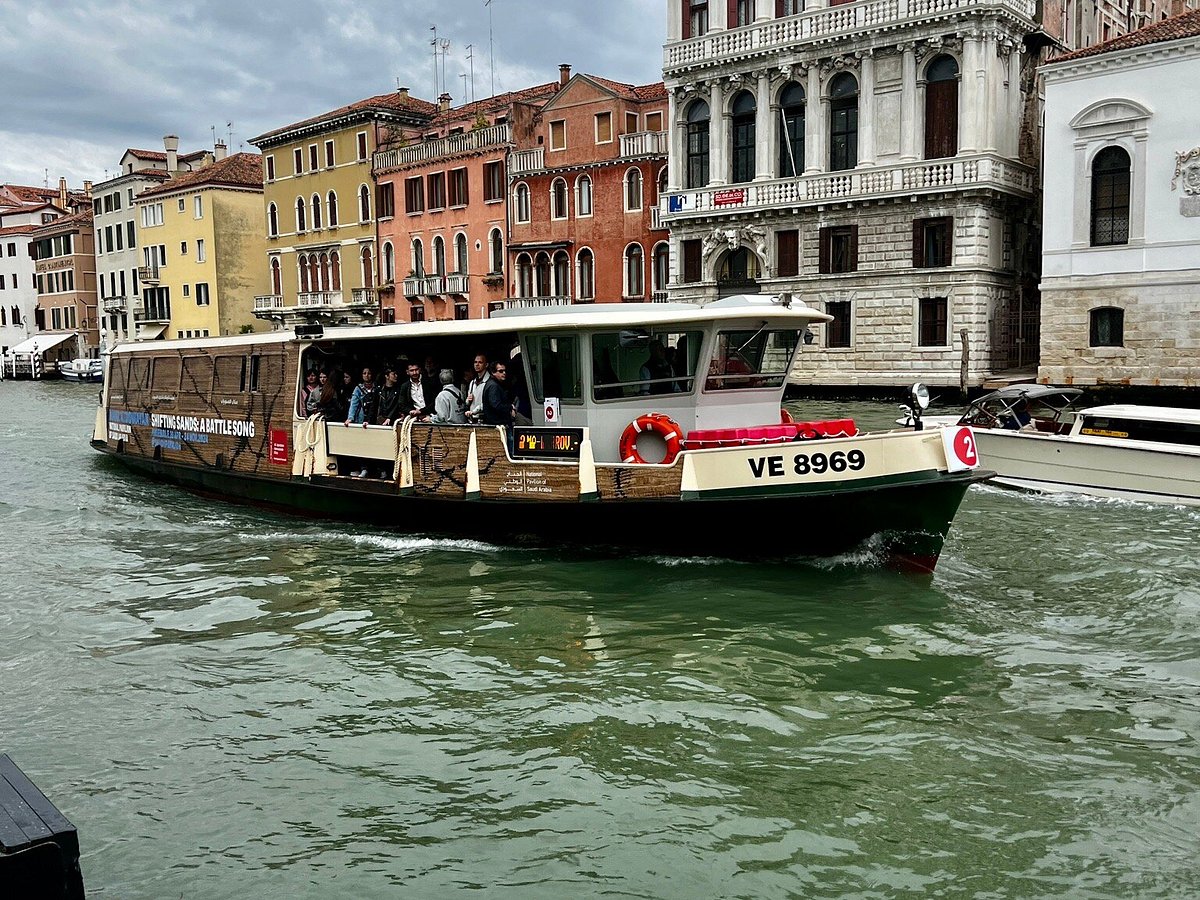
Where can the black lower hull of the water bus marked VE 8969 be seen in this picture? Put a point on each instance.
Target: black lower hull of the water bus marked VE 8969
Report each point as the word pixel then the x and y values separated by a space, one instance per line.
pixel 905 524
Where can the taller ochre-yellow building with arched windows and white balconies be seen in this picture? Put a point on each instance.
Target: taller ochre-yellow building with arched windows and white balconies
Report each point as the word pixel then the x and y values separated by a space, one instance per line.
pixel 322 208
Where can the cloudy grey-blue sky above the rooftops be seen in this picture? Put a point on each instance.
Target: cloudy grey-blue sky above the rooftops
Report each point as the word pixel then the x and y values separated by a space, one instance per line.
pixel 85 80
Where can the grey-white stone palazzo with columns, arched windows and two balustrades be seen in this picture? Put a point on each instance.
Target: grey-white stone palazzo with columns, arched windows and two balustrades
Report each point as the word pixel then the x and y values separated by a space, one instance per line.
pixel 877 161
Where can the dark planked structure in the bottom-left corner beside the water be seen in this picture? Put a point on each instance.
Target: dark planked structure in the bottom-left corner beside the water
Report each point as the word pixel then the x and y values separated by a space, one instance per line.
pixel 39 847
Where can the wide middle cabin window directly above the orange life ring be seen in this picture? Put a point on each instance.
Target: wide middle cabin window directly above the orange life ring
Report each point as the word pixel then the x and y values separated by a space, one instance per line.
pixel 628 364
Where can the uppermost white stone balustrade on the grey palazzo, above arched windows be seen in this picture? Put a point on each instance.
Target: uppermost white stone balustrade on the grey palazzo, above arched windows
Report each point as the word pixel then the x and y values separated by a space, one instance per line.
pixel 794 34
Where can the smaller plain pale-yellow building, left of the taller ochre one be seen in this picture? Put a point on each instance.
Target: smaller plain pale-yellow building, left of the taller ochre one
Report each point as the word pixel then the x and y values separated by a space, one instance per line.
pixel 202 251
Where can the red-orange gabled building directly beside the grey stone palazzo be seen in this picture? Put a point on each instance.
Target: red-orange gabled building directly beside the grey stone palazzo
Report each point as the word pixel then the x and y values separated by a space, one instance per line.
pixel 585 193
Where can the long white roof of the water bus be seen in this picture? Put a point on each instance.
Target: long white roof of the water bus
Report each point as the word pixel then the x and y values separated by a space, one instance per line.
pixel 733 310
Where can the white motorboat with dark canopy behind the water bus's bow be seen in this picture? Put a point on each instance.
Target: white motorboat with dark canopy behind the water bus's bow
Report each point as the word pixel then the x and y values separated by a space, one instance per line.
pixel 1036 437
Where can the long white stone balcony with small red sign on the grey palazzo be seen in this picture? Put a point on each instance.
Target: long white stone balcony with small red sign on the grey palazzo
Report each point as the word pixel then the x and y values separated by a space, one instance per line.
pixel 873 183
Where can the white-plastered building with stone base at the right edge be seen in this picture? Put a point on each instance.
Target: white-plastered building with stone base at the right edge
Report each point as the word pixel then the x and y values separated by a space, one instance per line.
pixel 1121 260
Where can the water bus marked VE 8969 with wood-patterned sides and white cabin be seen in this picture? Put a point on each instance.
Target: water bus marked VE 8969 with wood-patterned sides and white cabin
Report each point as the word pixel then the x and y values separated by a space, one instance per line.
pixel 692 455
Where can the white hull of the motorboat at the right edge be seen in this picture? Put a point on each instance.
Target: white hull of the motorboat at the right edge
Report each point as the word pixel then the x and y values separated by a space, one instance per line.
pixel 1069 465
